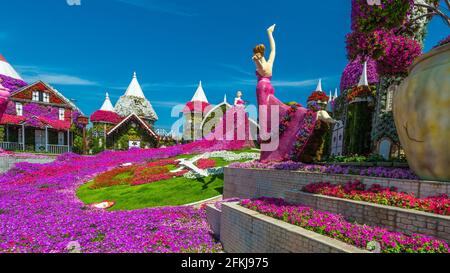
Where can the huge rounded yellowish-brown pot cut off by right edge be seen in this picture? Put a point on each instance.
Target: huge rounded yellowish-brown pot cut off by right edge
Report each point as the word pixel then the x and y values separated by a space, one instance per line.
pixel 422 114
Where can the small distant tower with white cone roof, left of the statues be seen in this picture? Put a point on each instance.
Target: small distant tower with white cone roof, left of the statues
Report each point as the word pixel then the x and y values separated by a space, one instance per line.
pixel 194 113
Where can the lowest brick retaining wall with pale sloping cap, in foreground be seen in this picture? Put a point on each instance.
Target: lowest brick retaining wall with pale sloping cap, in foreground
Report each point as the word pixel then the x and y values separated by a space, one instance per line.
pixel 246 231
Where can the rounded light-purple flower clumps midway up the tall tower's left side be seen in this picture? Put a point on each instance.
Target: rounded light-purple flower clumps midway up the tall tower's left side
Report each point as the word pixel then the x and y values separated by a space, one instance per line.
pixel 352 72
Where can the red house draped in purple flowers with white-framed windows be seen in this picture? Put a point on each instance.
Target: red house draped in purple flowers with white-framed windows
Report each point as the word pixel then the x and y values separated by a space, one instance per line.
pixel 38 118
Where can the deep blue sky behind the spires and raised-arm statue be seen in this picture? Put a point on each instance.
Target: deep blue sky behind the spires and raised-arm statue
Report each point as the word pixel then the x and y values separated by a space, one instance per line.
pixel 87 50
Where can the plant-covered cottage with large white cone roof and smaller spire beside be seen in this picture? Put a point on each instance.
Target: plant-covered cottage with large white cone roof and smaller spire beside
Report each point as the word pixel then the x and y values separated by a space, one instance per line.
pixel 127 125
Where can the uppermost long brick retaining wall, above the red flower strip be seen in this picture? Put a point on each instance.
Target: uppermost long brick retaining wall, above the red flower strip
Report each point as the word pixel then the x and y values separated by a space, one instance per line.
pixel 254 183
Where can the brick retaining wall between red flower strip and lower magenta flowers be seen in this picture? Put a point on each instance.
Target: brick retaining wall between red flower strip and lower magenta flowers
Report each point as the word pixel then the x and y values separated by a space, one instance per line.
pixel 392 218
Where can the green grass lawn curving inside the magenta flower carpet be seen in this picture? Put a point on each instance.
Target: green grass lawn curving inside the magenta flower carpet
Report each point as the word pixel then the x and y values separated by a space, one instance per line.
pixel 173 192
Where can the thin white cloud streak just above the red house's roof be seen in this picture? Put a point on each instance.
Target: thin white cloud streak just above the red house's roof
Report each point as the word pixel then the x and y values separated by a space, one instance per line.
pixel 50 75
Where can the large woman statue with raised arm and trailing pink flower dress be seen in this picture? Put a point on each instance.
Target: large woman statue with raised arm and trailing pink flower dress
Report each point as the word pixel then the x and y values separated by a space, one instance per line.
pixel 297 123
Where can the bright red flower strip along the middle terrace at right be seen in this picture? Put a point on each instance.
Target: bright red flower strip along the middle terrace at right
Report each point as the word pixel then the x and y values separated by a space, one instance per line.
pixel 384 196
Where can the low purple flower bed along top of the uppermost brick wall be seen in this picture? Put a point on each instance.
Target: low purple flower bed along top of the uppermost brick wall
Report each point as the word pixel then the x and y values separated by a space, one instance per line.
pixel 396 173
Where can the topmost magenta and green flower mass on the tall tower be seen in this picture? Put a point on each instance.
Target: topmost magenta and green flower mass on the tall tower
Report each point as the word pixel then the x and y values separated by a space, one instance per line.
pixel 391 14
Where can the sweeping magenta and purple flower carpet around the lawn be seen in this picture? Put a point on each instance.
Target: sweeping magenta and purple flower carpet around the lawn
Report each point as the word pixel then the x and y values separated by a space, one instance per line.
pixel 39 211
